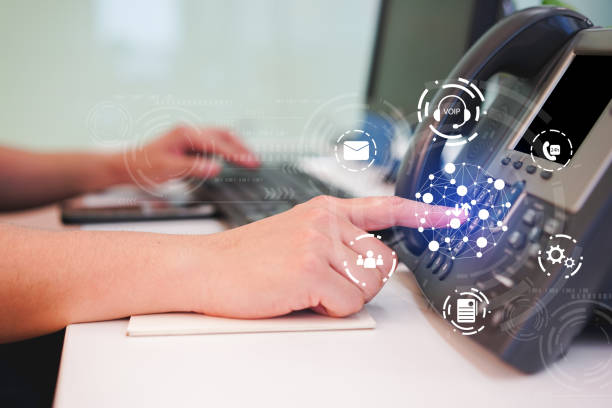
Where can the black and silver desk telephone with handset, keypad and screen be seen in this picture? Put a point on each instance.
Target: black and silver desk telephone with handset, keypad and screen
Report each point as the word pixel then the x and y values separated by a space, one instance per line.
pixel 542 69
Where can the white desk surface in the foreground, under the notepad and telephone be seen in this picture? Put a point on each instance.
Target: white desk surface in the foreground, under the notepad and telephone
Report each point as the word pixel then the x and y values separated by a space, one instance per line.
pixel 412 358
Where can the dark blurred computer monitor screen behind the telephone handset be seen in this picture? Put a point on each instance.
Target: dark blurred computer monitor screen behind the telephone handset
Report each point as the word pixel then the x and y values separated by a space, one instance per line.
pixel 419 41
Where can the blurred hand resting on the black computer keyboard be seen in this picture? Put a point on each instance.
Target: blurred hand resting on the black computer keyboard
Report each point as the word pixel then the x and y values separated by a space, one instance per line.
pixel 185 151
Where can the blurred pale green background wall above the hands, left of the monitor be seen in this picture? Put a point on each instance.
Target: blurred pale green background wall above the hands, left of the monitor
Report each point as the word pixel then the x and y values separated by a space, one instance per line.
pixel 82 74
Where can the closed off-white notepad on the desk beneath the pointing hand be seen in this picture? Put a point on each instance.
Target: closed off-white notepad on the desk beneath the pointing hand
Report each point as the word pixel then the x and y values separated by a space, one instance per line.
pixel 172 324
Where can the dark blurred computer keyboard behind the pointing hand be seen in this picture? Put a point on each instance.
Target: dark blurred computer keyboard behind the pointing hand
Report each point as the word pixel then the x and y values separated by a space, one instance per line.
pixel 243 195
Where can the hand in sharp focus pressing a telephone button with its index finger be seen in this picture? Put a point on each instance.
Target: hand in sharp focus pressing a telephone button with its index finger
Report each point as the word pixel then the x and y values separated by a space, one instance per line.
pixel 294 260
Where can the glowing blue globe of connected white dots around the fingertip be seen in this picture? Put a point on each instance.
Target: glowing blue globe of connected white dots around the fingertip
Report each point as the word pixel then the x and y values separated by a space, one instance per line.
pixel 468 194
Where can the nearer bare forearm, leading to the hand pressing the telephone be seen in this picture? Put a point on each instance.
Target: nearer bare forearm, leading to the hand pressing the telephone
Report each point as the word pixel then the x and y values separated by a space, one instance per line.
pixel 51 279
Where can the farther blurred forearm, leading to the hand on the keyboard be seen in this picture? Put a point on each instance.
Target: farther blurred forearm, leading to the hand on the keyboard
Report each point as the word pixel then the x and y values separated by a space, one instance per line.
pixel 33 179
